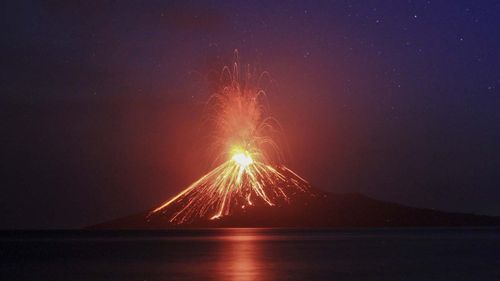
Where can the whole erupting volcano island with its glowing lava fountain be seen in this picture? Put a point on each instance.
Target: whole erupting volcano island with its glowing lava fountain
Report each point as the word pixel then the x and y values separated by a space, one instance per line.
pixel 250 186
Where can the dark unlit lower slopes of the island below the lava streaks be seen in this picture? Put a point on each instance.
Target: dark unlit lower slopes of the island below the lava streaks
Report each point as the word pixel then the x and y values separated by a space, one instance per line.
pixel 315 210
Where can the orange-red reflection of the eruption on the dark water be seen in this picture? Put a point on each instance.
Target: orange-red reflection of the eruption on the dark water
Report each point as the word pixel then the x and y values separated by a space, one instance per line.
pixel 242 257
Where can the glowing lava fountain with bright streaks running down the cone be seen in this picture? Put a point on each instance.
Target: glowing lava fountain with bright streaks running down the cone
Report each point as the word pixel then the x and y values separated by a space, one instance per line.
pixel 244 137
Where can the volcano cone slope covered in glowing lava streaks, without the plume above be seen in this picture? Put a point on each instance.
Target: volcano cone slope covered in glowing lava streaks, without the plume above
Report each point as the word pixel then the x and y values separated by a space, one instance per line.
pixel 232 189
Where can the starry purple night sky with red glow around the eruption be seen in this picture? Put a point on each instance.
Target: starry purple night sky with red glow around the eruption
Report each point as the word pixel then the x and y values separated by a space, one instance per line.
pixel 100 102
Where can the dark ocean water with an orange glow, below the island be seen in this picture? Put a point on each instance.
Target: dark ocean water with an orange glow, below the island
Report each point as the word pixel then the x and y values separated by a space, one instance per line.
pixel 253 254
